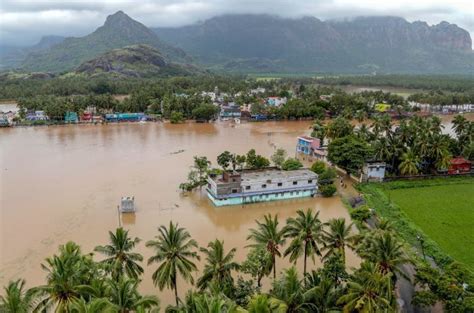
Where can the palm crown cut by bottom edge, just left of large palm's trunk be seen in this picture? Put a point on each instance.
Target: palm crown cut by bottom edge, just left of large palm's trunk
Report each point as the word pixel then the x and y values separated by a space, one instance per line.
pixel 126 298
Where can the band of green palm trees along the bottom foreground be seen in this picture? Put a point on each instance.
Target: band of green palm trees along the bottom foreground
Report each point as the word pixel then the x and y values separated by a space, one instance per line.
pixel 108 280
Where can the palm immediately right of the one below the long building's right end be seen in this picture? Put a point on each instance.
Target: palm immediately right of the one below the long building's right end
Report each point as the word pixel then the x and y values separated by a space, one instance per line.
pixel 337 238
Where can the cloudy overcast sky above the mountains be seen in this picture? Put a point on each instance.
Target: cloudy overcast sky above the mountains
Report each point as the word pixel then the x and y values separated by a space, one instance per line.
pixel 23 22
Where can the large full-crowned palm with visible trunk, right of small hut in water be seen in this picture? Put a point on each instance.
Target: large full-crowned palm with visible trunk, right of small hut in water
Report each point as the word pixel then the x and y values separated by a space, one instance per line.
pixel 174 251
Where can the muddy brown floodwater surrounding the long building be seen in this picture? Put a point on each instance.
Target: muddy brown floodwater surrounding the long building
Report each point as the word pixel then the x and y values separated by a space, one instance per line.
pixel 64 183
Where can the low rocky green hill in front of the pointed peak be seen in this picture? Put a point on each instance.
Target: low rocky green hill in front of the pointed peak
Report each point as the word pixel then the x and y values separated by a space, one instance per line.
pixel 134 61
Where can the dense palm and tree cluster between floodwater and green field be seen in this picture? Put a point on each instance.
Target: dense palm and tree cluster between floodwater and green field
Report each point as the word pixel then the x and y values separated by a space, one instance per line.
pixel 415 145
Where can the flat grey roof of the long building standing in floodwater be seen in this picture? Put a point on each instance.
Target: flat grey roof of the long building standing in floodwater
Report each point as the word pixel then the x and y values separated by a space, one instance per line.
pixel 277 175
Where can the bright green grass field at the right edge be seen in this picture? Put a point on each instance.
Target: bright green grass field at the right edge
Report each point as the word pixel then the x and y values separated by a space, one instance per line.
pixel 445 213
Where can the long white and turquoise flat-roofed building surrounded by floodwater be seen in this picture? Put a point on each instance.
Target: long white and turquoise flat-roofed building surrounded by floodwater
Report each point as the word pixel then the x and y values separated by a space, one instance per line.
pixel 251 186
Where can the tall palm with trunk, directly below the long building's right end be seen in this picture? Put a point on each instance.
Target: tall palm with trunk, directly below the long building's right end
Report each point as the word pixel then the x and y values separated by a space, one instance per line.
pixel 305 233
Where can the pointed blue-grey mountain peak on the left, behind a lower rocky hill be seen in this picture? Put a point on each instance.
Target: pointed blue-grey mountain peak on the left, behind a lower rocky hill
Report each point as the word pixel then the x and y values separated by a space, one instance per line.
pixel 118 31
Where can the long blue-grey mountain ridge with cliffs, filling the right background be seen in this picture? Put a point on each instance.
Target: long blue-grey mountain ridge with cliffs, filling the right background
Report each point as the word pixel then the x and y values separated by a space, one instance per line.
pixel 361 45
